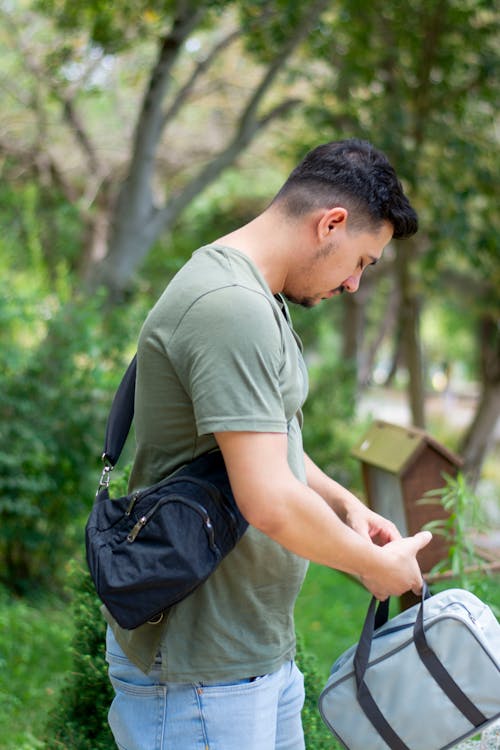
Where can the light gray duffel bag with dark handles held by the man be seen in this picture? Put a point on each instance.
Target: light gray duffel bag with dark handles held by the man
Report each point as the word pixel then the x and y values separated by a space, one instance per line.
pixel 424 680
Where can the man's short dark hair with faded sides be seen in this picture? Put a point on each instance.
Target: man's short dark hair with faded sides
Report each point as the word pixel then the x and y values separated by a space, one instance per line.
pixel 354 174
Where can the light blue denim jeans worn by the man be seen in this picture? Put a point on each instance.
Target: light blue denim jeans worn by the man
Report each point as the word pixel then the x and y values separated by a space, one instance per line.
pixel 262 713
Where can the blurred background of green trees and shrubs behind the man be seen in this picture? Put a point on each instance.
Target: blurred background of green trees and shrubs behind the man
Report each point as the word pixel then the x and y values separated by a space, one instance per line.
pixel 132 133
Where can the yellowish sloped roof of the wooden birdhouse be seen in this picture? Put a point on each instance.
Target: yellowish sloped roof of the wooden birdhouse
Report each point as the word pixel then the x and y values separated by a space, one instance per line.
pixel 393 447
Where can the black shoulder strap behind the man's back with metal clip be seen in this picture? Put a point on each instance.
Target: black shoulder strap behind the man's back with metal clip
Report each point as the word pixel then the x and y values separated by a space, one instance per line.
pixel 119 422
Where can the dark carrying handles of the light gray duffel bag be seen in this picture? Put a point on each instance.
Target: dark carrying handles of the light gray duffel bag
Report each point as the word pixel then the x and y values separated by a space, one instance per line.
pixel 377 617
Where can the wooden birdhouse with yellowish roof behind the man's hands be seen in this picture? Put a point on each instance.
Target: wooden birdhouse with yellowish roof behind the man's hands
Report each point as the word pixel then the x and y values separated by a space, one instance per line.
pixel 399 465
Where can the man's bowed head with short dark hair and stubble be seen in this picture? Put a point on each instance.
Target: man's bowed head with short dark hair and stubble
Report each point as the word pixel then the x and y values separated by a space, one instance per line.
pixel 348 196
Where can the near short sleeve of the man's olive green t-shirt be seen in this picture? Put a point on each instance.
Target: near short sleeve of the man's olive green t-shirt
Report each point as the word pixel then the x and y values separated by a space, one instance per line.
pixel 227 351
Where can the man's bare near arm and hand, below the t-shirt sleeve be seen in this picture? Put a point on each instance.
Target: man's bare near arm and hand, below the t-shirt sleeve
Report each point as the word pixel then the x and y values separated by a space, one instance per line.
pixel 293 514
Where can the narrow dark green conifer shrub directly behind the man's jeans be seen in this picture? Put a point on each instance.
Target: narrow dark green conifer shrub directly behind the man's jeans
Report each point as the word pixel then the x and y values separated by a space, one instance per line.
pixel 79 720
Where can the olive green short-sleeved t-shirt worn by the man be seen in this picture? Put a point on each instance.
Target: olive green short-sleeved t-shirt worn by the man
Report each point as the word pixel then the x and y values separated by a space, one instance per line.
pixel 218 353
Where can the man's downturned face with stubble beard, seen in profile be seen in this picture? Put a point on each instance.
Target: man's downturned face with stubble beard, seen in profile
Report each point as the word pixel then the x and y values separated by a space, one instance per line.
pixel 337 265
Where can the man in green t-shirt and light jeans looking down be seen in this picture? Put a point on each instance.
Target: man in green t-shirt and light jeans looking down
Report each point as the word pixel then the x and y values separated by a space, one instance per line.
pixel 219 363
